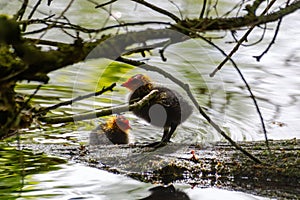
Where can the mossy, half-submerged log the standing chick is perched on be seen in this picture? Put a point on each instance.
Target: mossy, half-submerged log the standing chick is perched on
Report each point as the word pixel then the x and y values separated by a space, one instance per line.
pixel 218 165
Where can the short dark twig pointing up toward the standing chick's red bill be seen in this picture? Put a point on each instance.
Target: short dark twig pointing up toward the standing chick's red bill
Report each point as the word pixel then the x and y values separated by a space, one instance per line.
pixel 79 98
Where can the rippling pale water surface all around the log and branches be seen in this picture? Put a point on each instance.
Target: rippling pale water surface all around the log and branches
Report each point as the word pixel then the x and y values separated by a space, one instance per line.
pixel 274 81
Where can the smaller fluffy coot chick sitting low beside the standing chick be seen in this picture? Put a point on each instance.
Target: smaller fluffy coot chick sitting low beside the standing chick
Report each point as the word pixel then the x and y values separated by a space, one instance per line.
pixel 114 131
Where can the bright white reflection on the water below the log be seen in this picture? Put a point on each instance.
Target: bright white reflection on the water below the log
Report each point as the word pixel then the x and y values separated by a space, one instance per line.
pixel 80 182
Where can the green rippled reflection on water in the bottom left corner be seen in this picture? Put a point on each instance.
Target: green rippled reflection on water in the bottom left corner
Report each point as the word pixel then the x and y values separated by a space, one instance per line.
pixel 17 167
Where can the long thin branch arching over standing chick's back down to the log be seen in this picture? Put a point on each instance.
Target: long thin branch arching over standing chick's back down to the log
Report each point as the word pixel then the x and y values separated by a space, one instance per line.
pixel 188 91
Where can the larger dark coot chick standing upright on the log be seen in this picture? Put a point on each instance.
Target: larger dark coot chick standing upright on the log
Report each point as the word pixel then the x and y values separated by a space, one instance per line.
pixel 167 109
